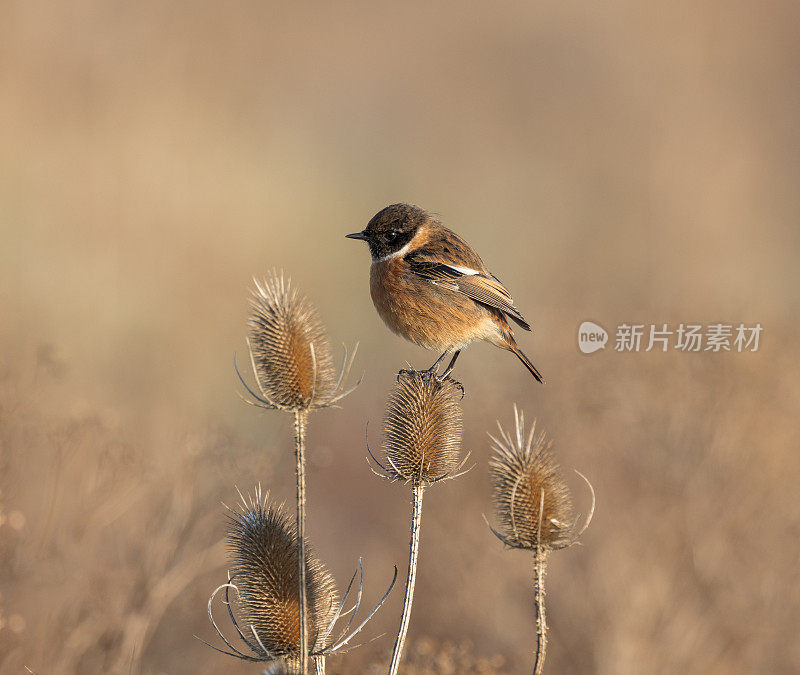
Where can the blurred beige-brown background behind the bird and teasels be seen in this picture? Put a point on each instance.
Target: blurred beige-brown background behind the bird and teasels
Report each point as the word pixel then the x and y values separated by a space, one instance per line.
pixel 616 162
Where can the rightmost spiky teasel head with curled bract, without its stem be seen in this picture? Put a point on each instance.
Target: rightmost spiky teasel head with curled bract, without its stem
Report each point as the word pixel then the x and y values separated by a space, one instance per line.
pixel 531 499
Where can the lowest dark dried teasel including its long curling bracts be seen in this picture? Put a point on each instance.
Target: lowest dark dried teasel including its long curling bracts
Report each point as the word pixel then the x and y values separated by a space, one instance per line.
pixel 264 554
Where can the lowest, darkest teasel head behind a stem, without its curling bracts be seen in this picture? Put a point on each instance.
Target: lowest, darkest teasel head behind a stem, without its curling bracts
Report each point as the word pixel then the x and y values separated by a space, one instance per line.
pixel 262 541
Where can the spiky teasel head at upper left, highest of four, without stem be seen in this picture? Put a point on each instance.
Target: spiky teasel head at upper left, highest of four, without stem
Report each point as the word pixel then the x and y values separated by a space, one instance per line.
pixel 289 351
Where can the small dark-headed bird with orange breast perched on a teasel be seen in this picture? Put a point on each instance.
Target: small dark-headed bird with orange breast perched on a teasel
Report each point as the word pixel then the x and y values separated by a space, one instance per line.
pixel 431 287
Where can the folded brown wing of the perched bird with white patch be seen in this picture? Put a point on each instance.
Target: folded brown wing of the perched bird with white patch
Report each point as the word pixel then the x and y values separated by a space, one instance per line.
pixel 449 261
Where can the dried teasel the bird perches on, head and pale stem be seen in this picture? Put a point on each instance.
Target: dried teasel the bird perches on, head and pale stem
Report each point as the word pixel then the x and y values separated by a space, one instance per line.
pixel 422 446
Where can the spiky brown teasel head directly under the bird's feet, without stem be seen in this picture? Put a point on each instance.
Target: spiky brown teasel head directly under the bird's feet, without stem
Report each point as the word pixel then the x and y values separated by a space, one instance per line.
pixel 422 429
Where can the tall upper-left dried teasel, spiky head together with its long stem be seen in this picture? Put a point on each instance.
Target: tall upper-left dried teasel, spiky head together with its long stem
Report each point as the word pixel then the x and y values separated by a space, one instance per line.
pixel 293 368
